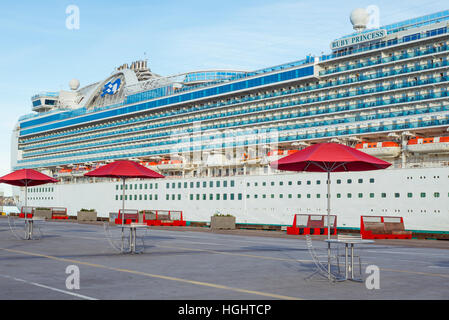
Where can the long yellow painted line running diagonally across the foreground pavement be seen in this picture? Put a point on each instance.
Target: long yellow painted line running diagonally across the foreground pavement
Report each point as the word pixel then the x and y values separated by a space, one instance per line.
pixel 194 282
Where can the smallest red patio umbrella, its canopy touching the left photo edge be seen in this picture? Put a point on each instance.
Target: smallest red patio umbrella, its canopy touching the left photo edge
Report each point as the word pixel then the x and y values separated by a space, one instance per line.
pixel 26 178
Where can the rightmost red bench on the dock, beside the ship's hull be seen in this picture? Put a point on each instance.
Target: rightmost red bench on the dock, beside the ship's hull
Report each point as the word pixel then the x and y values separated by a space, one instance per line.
pixel 378 227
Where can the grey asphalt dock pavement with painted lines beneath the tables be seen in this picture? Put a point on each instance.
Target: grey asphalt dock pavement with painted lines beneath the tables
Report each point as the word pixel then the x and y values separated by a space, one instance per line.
pixel 197 264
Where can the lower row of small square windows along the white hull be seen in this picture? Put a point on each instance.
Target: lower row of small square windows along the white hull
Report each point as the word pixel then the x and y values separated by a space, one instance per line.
pixel 232 196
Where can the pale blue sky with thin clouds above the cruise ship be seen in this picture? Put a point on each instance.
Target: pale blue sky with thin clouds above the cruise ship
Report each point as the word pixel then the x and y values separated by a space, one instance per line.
pixel 38 53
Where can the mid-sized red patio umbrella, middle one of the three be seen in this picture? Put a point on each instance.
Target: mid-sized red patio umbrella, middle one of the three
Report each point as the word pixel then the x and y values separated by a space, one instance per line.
pixel 124 169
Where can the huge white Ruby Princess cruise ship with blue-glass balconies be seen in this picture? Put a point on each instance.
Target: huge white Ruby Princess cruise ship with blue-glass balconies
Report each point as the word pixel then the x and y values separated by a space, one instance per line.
pixel 213 133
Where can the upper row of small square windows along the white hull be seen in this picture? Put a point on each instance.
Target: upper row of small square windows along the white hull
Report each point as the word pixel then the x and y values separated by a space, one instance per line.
pixel 224 184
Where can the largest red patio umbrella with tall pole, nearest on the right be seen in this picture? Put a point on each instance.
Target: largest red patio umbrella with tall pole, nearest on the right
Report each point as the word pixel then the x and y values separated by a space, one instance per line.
pixel 329 157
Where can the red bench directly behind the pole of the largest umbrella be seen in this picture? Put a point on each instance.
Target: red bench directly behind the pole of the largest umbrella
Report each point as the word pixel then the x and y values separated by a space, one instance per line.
pixel 312 224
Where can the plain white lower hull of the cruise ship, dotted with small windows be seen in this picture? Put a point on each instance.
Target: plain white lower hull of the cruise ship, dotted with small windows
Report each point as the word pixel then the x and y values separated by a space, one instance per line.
pixel 426 209
